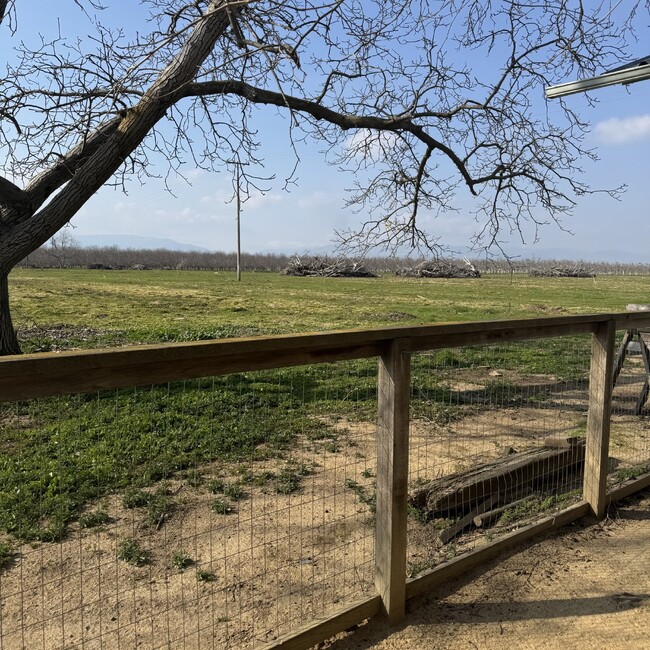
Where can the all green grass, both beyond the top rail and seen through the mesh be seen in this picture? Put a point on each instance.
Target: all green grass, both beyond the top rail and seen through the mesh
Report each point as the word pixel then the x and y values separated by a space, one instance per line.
pixel 61 454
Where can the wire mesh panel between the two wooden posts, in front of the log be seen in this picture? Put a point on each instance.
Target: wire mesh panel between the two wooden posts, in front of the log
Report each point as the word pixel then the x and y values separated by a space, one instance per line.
pixel 497 441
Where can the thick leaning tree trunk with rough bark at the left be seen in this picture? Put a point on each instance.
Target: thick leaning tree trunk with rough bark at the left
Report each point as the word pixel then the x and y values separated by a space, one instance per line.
pixel 23 230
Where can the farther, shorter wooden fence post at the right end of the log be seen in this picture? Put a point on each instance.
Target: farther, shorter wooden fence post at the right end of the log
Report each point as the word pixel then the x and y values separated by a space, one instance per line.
pixel 598 417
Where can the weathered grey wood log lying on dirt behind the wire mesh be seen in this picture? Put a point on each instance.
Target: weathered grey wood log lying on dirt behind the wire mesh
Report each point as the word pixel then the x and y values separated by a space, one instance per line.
pixel 538 468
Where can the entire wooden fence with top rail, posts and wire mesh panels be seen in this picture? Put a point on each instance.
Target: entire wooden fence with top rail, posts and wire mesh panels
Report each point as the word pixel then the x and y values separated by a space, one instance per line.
pixel 350 487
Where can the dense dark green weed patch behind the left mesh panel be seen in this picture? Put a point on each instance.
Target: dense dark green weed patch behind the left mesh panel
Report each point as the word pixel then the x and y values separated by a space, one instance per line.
pixel 66 452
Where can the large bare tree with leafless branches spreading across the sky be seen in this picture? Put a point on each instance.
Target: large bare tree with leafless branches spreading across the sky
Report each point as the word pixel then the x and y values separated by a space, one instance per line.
pixel 386 87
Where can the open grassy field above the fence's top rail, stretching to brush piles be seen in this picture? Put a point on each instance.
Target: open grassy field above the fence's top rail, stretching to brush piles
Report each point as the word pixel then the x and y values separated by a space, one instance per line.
pixel 137 306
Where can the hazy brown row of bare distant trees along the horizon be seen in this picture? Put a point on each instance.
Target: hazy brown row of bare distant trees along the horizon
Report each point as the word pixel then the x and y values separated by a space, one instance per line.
pixel 64 252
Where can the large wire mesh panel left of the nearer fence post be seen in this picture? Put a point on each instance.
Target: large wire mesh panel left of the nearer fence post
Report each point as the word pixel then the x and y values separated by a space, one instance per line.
pixel 220 512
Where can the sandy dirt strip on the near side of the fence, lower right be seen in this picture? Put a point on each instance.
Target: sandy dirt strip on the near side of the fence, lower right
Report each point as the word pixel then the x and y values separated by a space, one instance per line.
pixel 584 587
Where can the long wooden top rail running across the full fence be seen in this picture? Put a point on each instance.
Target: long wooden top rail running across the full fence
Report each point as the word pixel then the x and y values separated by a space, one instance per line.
pixel 45 374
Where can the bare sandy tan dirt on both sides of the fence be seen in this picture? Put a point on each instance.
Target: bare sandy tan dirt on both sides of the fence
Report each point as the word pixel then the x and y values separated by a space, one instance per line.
pixel 278 561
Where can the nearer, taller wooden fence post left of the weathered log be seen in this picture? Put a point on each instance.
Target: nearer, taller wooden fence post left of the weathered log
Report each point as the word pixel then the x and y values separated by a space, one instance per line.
pixel 394 388
